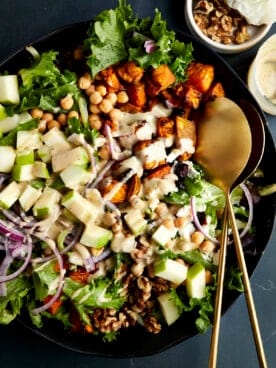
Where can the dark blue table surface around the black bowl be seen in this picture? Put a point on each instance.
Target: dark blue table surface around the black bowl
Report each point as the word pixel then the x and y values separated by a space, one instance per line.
pixel 24 21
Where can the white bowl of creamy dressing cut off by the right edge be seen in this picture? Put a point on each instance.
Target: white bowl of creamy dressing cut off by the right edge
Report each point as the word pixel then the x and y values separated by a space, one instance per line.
pixel 261 77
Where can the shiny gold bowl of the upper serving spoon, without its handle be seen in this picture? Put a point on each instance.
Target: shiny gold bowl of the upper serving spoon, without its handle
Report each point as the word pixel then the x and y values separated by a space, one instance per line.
pixel 224 143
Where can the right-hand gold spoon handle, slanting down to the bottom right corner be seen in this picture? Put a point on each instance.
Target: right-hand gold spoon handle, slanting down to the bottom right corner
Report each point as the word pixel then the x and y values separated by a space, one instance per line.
pixel 247 288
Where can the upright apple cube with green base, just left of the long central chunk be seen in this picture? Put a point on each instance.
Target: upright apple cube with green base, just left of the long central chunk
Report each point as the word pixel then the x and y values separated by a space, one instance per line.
pixel 46 203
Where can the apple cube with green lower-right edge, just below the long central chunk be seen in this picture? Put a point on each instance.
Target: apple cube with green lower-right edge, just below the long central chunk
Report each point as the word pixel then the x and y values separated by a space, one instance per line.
pixel 95 236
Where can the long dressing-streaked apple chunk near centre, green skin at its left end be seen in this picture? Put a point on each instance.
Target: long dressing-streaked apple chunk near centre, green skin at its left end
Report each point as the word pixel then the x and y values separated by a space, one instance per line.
pixel 83 209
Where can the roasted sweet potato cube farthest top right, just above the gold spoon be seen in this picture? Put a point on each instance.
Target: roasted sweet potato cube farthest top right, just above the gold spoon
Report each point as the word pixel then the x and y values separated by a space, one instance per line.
pixel 200 76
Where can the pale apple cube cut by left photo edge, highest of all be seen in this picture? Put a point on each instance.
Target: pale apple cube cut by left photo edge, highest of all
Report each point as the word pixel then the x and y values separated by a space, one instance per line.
pixel 9 91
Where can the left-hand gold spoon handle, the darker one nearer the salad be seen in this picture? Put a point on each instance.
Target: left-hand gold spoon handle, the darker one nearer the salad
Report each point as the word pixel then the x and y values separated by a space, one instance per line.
pixel 219 294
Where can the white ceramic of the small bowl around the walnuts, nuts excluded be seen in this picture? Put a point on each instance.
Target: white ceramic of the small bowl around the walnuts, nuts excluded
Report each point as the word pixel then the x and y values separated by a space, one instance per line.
pixel 257 33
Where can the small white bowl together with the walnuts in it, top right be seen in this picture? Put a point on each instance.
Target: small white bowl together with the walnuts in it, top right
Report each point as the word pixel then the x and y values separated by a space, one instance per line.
pixel 222 28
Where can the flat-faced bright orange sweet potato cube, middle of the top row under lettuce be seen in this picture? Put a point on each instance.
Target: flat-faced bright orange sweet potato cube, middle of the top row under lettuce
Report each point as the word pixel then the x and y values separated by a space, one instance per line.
pixel 161 78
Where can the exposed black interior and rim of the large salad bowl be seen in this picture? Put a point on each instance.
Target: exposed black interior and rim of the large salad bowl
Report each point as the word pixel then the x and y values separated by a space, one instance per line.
pixel 136 341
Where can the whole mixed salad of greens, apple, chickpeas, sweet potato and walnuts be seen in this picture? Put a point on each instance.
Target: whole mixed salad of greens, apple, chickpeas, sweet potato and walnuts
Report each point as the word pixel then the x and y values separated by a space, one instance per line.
pixel 107 222
